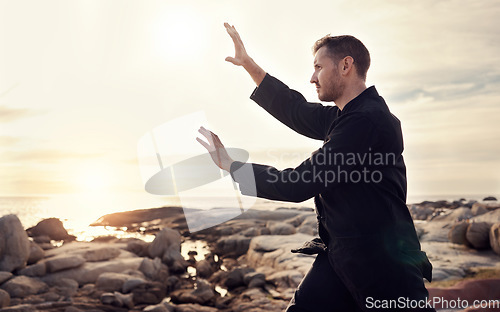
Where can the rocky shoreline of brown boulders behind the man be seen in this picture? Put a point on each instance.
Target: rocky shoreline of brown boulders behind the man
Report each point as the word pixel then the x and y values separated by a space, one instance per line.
pixel 248 265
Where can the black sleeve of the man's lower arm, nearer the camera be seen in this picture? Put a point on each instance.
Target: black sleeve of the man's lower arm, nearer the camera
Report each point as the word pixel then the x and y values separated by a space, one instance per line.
pixel 347 145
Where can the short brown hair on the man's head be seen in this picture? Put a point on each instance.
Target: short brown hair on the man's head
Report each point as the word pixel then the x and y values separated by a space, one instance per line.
pixel 342 46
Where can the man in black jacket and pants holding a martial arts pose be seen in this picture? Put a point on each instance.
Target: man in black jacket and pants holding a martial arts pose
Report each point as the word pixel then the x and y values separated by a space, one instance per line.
pixel 371 258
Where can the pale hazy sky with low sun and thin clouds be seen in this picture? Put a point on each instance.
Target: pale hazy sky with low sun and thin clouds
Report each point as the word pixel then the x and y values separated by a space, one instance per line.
pixel 81 82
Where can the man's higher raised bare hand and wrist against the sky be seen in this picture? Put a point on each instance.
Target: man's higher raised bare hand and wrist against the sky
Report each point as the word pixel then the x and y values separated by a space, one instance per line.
pixel 241 57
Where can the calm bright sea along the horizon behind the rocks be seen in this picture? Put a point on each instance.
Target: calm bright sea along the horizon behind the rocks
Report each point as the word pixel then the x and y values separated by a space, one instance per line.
pixel 78 211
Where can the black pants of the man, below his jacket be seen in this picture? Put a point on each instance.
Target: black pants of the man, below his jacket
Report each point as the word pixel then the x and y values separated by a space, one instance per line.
pixel 325 290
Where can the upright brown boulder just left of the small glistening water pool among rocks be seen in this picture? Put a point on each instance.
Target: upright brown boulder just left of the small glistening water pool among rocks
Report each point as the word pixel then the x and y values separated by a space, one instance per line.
pixel 167 246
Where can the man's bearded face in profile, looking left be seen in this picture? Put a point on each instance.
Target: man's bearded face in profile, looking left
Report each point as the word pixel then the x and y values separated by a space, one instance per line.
pixel 326 77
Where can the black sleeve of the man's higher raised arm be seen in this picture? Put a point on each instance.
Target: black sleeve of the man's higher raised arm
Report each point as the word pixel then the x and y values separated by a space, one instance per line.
pixel 292 109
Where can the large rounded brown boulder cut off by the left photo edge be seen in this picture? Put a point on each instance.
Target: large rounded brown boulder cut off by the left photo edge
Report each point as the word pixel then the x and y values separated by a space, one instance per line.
pixel 14 244
